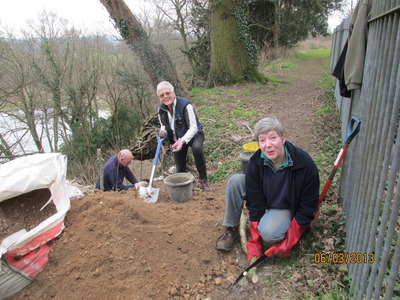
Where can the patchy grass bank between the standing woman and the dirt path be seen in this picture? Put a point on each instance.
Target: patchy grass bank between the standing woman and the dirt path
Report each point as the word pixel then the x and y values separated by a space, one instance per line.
pixel 221 110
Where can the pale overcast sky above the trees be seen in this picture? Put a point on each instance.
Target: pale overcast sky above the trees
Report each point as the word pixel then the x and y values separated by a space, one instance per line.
pixel 82 14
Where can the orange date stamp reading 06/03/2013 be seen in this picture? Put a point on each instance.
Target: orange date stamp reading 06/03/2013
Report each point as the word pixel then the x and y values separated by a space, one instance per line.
pixel 343 257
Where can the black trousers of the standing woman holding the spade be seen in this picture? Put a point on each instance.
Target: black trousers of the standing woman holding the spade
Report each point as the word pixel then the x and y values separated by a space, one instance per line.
pixel 197 148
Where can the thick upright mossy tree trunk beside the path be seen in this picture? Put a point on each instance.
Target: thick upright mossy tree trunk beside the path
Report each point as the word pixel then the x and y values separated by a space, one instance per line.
pixel 230 62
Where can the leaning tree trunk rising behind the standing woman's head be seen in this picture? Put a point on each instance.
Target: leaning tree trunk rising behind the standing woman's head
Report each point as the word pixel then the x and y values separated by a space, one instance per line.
pixel 156 61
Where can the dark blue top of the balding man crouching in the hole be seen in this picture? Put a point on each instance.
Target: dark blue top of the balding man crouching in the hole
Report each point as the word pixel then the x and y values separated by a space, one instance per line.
pixel 111 170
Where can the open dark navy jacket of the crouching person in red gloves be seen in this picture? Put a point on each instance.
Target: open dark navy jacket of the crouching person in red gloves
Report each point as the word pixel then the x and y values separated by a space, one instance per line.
pixel 303 186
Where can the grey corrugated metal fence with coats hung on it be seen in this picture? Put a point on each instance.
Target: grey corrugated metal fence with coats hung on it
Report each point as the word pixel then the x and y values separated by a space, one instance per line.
pixel 370 173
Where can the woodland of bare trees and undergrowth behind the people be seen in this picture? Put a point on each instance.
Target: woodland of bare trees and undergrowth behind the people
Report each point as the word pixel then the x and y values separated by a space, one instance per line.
pixel 58 82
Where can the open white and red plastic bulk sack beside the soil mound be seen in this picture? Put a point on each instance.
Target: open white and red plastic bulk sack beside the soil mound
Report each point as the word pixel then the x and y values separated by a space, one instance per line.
pixel 22 176
